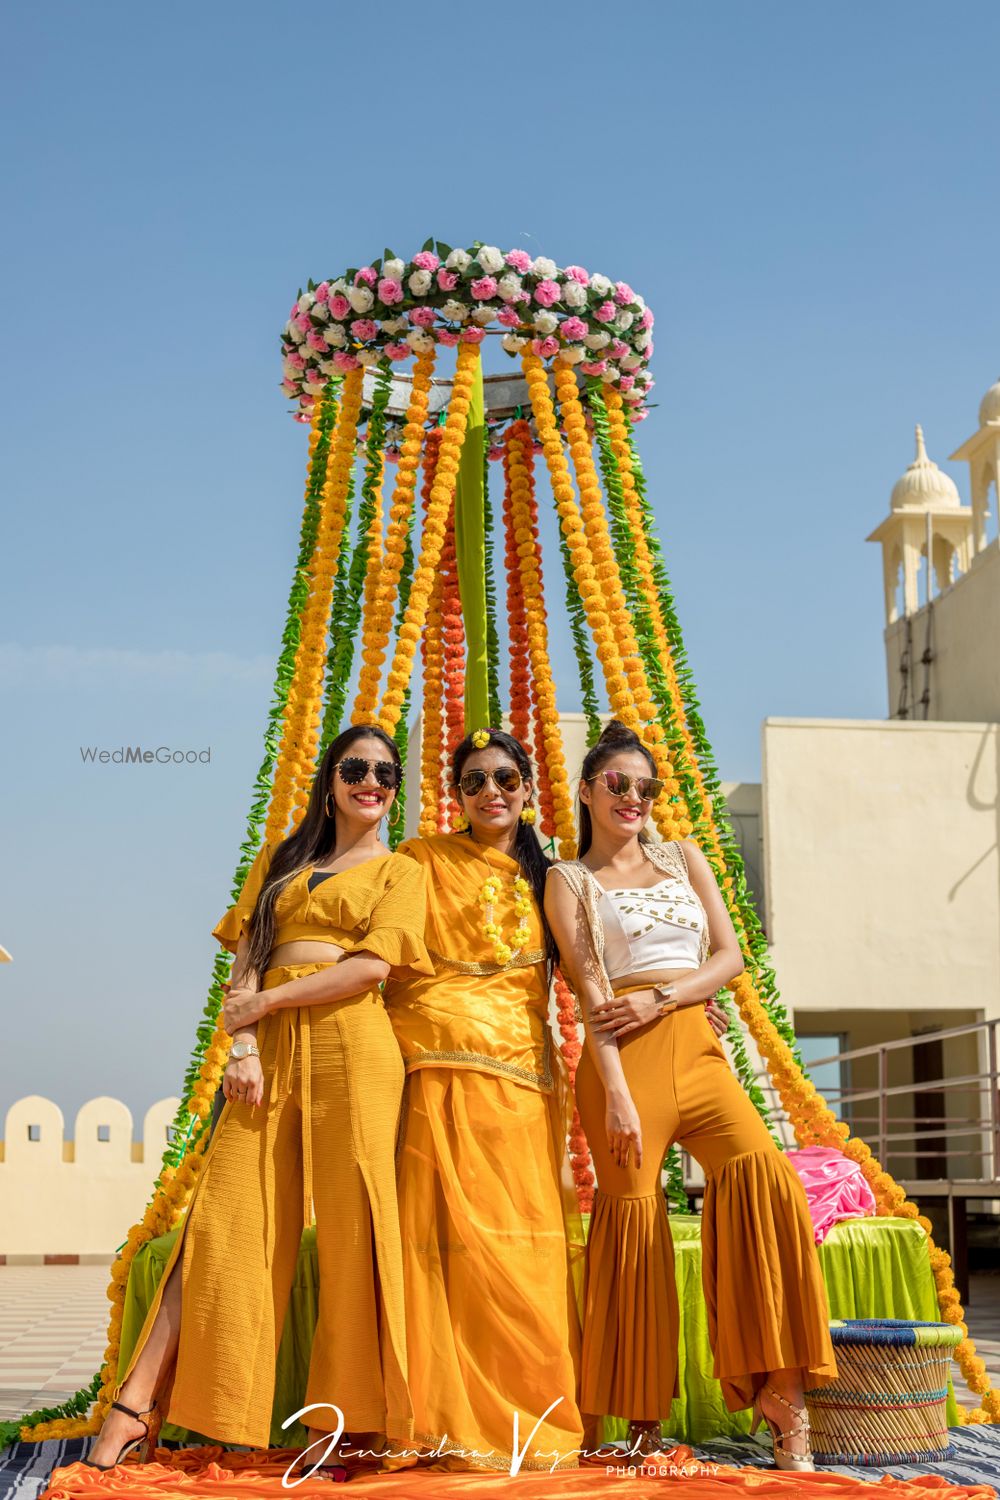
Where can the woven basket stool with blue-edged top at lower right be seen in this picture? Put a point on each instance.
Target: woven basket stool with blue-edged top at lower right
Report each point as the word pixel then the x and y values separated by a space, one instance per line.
pixel 888 1402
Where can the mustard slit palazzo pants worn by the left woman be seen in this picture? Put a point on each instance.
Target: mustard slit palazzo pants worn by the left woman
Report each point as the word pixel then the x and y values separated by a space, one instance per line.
pixel 328 1132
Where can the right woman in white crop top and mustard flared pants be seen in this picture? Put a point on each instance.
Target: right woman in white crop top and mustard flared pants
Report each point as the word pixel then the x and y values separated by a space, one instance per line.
pixel 647 941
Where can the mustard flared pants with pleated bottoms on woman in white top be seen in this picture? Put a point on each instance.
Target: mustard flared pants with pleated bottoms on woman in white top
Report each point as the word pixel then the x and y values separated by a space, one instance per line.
pixel 764 1286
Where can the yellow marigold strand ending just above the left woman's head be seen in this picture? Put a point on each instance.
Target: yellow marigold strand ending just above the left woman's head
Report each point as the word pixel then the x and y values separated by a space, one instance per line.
pixel 376 644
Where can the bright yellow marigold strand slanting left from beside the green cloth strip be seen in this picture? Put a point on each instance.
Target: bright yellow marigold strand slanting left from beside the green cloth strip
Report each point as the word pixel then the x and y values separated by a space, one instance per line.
pixel 433 541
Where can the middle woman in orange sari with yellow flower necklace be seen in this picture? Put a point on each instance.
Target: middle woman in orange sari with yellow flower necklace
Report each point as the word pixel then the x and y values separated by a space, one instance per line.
pixel 488 1208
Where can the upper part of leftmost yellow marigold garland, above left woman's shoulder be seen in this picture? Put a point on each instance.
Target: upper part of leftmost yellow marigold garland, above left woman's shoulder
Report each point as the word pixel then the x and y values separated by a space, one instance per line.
pixel 301 734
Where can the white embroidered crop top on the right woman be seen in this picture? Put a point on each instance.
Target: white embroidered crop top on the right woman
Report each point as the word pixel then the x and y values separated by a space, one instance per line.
pixel 654 928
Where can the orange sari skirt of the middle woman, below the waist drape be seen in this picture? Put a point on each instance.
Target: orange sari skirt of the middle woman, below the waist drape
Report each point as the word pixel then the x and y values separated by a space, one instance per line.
pixel 491 1306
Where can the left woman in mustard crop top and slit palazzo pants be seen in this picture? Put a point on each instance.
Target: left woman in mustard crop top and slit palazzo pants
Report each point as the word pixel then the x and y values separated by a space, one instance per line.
pixel 314 1094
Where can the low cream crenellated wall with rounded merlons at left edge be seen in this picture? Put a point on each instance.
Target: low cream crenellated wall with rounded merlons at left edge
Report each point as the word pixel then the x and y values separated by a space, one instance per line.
pixel 76 1196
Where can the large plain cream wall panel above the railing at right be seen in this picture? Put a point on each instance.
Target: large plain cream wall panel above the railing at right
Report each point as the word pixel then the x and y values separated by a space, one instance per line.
pixel 881 857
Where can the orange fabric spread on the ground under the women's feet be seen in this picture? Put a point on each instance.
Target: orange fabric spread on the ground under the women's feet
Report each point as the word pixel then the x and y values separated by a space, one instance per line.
pixel 215 1475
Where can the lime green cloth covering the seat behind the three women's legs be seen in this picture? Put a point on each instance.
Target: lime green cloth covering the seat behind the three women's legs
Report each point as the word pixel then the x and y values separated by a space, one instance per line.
pixel 873 1268
